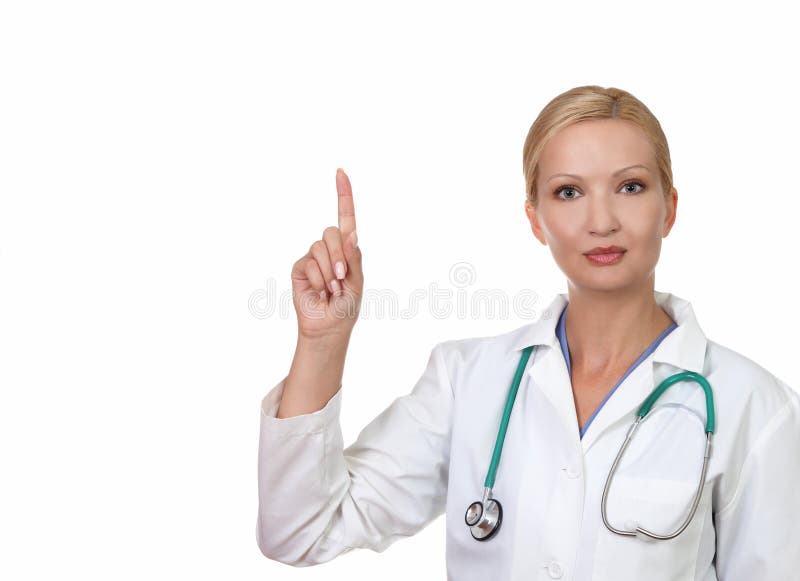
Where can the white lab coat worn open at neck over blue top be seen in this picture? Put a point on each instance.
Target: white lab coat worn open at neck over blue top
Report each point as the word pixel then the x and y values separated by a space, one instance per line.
pixel 429 451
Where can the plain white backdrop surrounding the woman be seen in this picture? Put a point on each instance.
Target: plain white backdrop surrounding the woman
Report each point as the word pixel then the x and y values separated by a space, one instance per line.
pixel 161 162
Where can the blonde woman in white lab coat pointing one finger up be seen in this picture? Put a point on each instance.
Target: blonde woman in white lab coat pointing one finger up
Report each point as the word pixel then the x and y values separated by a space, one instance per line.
pixel 600 195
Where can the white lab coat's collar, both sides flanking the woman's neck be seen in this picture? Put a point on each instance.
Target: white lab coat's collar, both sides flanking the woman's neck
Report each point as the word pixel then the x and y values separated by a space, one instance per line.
pixel 684 347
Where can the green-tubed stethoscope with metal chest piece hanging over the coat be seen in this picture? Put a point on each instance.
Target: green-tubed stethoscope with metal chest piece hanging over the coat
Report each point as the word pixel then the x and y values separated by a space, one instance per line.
pixel 484 517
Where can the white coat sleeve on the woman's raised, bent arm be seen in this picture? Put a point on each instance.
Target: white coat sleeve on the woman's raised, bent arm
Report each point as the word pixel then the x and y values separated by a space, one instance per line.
pixel 317 500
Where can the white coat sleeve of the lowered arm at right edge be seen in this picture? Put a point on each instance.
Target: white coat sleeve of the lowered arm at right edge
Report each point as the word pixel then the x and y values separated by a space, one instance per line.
pixel 758 532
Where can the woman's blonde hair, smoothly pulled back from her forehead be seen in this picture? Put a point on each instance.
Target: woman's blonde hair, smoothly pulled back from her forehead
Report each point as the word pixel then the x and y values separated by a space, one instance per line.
pixel 585 103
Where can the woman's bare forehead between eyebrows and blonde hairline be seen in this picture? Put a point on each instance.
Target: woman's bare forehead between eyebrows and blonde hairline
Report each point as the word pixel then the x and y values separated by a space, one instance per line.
pixel 597 146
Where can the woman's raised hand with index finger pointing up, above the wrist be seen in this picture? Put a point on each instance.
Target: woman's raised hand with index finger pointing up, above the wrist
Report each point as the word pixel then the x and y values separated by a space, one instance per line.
pixel 327 282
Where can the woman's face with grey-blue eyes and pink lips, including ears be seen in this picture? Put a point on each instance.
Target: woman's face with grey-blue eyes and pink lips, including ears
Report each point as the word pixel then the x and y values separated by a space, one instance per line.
pixel 598 207
